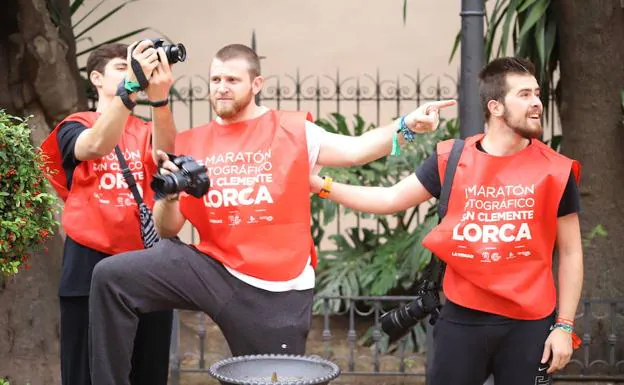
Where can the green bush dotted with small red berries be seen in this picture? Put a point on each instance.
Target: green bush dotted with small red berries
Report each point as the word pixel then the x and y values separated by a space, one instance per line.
pixel 26 208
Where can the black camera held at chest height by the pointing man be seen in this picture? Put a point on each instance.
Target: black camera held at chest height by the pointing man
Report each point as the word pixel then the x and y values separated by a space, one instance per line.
pixel 191 178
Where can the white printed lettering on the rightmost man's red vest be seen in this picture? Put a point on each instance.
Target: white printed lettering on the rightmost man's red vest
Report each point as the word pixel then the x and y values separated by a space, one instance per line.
pixel 483 205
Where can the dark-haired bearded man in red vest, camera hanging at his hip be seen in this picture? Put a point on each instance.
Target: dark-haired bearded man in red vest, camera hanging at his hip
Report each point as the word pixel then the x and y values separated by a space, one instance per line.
pixel 512 200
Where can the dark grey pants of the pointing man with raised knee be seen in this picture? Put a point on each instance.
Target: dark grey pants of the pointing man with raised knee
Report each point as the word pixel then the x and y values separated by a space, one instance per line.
pixel 174 275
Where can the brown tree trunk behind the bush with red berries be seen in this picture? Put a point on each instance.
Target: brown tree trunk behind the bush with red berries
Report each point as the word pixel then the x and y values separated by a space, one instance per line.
pixel 38 77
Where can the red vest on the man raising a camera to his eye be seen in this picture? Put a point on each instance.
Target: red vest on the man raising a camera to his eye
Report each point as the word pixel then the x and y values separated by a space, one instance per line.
pixel 100 211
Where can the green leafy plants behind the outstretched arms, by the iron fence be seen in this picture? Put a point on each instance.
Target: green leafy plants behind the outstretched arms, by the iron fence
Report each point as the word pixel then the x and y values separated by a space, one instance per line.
pixel 371 262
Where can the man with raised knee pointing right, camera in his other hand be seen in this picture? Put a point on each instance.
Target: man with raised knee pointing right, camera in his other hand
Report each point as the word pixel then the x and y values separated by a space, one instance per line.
pixel 252 271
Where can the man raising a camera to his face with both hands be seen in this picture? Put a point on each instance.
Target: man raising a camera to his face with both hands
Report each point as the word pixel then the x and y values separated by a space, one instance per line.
pixel 100 216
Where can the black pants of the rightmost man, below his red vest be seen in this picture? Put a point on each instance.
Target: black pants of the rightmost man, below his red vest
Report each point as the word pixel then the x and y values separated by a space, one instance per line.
pixel 467 354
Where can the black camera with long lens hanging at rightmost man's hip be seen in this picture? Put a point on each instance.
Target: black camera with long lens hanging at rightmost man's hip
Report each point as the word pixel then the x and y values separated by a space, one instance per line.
pixel 398 322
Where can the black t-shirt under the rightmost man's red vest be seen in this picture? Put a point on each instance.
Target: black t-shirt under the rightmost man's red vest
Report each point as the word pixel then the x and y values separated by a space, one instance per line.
pixel 429 175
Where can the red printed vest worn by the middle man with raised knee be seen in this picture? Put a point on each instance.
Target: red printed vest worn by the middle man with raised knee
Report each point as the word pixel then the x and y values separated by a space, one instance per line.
pixel 256 217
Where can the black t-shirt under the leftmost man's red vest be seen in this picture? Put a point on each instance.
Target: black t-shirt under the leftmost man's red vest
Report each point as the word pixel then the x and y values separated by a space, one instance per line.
pixel 78 260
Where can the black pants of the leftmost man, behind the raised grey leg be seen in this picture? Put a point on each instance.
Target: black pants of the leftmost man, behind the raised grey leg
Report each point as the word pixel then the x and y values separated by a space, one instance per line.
pixel 150 359
